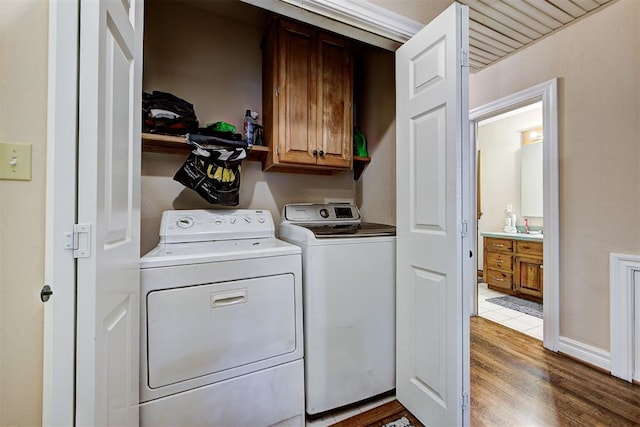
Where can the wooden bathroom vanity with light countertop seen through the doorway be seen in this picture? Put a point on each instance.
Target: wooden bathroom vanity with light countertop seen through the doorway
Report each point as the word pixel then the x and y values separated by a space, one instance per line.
pixel 513 264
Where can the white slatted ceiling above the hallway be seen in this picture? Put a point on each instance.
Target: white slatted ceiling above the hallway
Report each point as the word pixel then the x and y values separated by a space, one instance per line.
pixel 498 28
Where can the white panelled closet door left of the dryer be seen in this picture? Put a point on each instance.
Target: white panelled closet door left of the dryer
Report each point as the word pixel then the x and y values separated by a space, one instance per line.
pixel 108 279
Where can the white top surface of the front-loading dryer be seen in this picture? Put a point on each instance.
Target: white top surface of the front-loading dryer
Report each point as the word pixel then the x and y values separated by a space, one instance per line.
pixel 169 254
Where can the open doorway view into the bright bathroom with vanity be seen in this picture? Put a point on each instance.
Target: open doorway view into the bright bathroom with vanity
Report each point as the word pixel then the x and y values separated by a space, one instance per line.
pixel 510 217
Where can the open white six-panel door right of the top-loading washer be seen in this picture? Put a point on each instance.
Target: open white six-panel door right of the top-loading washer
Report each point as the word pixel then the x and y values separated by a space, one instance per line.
pixel 432 139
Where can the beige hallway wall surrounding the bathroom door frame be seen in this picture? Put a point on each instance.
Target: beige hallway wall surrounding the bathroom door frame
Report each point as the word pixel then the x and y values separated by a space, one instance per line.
pixel 596 61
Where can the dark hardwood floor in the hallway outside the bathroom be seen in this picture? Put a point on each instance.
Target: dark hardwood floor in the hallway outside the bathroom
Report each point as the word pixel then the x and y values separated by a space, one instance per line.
pixel 516 382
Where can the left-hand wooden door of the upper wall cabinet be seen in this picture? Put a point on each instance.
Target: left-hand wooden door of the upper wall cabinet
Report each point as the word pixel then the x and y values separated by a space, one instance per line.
pixel 297 94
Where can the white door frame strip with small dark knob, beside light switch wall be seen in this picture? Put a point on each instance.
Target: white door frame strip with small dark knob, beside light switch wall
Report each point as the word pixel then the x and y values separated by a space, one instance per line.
pixel 58 399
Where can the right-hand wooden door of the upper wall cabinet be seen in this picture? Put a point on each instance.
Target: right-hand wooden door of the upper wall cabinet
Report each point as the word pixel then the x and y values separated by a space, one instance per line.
pixel 335 127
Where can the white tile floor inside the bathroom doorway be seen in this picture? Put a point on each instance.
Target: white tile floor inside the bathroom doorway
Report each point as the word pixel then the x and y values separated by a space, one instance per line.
pixel 525 323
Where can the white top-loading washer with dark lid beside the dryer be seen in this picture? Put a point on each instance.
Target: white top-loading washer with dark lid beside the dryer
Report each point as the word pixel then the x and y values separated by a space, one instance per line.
pixel 348 284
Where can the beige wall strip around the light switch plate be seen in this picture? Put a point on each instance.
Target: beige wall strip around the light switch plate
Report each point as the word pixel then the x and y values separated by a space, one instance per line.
pixel 23 96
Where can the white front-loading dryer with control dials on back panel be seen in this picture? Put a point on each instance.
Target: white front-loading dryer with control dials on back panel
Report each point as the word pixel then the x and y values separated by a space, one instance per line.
pixel 221 316
